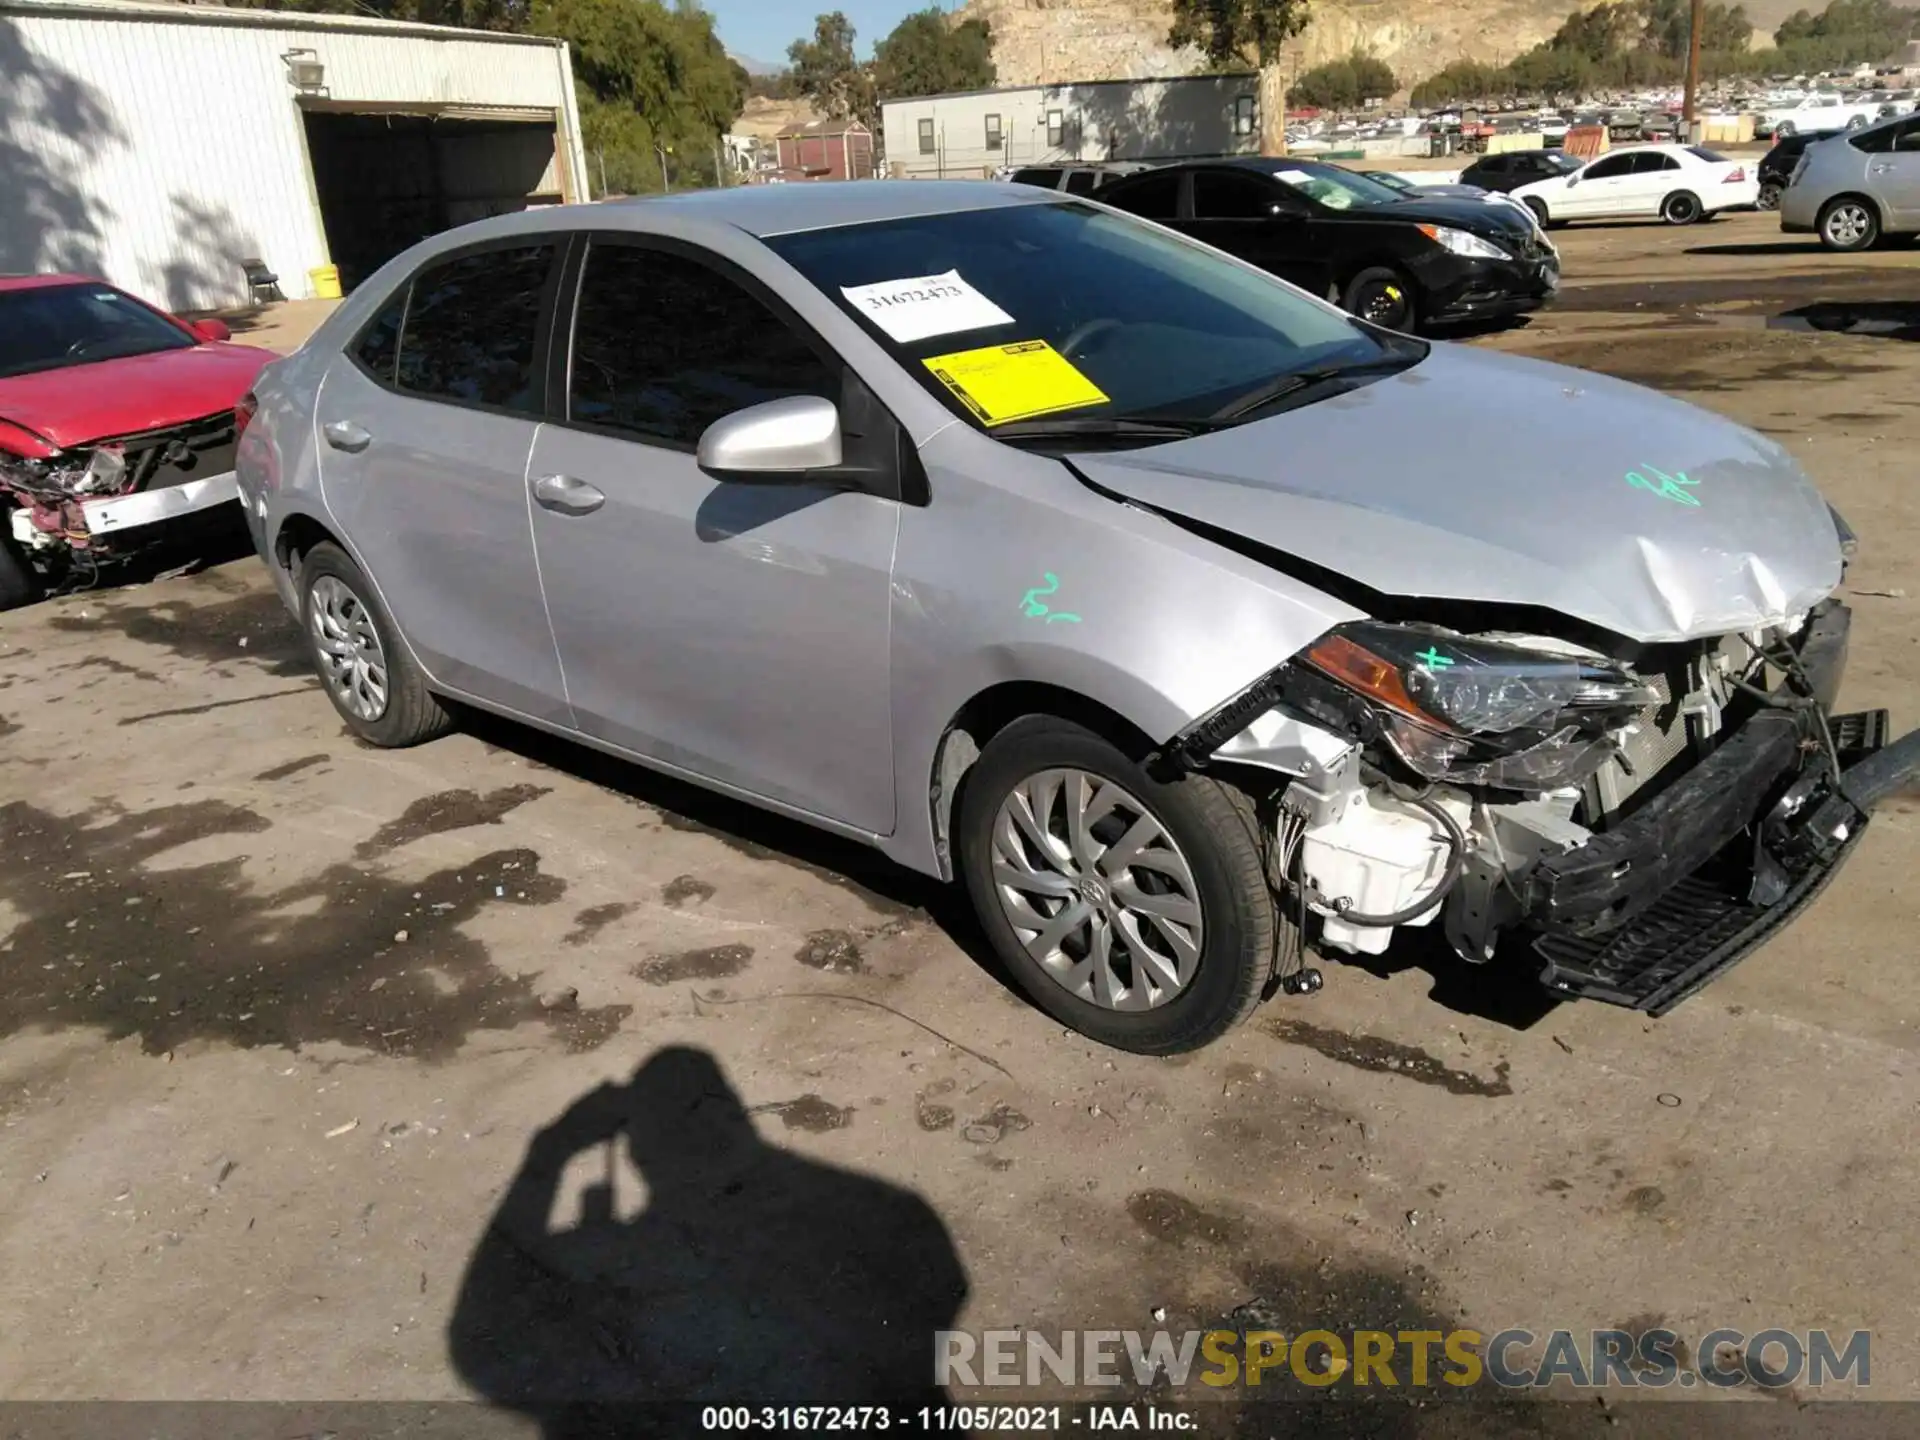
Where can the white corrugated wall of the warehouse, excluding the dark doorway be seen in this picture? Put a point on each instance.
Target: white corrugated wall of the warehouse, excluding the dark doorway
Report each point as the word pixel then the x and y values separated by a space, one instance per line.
pixel 162 153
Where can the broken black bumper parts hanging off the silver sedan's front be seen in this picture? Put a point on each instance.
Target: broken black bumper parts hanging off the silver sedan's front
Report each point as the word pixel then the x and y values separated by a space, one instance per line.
pixel 1652 911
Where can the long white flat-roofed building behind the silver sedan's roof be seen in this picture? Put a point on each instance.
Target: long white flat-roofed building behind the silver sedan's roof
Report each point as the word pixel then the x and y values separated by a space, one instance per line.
pixel 982 132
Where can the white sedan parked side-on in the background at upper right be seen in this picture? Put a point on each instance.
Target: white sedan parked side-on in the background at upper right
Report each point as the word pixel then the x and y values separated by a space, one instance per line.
pixel 1677 183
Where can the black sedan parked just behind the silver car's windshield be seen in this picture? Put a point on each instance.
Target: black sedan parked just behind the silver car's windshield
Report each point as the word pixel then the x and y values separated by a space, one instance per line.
pixel 1393 260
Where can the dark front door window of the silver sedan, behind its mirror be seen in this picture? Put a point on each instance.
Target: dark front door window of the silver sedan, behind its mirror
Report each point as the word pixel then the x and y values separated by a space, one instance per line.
pixel 665 347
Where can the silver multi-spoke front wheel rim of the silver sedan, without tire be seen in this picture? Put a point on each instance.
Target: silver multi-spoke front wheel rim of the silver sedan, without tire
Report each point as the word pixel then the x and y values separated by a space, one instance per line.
pixel 1097 890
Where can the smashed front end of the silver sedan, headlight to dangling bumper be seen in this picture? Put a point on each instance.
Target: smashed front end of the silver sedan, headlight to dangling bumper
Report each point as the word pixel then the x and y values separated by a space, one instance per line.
pixel 1646 823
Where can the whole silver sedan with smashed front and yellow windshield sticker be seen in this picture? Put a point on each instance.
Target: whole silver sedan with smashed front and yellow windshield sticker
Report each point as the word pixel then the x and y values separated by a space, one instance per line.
pixel 1184 619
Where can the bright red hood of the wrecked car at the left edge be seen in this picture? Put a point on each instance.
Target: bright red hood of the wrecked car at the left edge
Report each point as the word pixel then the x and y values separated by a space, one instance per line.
pixel 126 396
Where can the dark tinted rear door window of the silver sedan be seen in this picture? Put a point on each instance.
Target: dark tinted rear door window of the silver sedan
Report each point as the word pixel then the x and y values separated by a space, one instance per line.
pixel 471 327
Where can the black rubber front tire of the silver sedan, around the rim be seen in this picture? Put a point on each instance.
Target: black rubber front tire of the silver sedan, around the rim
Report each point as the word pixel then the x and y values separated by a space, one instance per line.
pixel 1218 836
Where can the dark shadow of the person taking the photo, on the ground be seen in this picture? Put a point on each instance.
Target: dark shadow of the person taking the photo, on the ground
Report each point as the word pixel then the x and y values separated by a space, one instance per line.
pixel 752 1276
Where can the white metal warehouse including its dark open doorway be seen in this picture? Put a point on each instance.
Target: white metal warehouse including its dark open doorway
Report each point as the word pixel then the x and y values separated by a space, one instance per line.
pixel 183 151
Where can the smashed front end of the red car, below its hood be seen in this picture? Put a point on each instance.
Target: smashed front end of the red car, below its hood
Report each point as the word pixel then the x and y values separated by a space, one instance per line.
pixel 74 512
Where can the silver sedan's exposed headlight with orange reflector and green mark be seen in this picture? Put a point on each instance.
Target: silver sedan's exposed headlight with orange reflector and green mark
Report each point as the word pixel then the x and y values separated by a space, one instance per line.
pixel 1483 713
